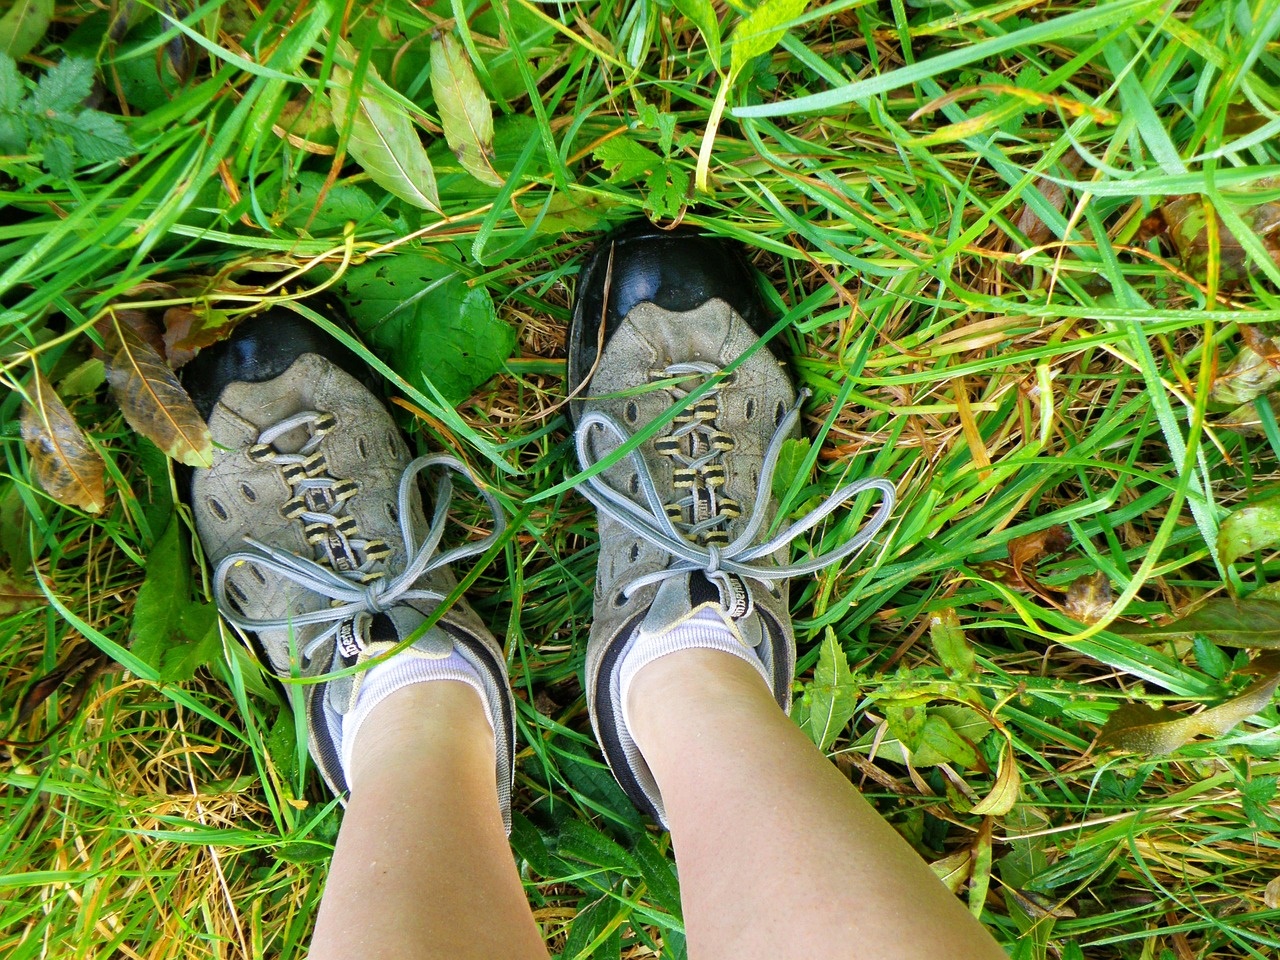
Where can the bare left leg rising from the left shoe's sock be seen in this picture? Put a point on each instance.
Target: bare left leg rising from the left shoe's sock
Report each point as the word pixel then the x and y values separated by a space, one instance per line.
pixel 423 868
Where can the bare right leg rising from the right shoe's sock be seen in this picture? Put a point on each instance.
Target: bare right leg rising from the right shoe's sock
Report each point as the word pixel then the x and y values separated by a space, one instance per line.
pixel 779 856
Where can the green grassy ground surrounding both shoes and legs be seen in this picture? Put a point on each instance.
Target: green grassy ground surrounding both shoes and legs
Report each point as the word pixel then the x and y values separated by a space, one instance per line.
pixel 962 234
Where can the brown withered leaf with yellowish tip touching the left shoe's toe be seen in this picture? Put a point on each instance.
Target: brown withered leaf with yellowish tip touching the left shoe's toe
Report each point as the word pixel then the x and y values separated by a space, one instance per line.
pixel 153 401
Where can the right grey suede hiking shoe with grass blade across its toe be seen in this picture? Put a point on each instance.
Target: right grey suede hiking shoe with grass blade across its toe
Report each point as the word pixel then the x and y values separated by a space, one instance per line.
pixel 668 331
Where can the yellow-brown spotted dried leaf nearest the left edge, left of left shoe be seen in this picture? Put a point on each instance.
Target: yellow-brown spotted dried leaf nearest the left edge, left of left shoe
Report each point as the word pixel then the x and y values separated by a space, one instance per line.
pixel 67 468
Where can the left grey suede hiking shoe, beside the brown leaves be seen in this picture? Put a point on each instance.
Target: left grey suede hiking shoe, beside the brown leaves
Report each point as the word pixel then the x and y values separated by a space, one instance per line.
pixel 313 520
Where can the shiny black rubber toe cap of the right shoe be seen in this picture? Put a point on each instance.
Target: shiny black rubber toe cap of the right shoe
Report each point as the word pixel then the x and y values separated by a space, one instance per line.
pixel 676 271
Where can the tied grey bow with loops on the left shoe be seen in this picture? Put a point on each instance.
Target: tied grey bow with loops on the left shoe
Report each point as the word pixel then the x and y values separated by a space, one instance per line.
pixel 350 598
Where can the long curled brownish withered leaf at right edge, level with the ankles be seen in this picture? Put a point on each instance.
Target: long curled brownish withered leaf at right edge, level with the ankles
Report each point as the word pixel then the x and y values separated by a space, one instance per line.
pixel 1148 730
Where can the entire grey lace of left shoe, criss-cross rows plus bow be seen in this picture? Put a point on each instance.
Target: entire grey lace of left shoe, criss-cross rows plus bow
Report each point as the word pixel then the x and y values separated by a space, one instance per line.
pixel 351 589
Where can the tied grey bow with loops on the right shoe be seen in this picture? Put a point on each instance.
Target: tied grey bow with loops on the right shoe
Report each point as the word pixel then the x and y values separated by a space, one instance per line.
pixel 650 522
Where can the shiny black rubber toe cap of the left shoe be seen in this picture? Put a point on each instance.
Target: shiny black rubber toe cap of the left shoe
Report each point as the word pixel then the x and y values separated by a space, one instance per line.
pixel 262 349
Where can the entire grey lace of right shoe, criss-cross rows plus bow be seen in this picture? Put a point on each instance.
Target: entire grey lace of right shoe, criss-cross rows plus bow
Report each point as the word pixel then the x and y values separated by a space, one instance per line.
pixel 729 565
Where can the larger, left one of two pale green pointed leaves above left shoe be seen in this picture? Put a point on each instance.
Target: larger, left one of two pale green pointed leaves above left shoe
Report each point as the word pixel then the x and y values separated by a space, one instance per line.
pixel 382 136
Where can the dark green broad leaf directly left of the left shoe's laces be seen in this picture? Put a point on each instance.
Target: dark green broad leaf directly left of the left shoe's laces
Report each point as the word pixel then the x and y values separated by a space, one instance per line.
pixel 172 633
